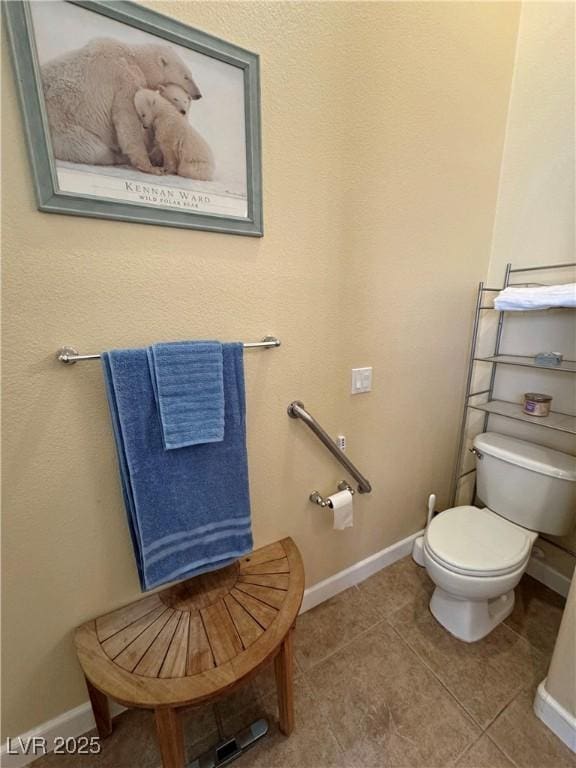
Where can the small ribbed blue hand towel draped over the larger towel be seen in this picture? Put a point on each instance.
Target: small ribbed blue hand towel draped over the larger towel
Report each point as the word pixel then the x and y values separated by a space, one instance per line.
pixel 189 388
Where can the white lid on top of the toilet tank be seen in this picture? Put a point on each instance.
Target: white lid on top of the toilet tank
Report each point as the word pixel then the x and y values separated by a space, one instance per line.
pixel 536 458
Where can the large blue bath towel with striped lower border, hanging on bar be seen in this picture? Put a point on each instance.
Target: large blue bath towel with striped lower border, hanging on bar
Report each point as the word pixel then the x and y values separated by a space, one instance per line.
pixel 188 509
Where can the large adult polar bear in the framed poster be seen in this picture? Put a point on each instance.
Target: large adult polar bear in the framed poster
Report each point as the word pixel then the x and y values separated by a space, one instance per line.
pixel 89 96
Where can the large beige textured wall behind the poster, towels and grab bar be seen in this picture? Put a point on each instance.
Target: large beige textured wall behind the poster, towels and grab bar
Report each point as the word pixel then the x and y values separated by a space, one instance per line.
pixel 383 126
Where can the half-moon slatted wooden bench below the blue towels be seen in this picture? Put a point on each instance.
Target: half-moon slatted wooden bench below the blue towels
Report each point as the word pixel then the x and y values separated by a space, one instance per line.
pixel 195 642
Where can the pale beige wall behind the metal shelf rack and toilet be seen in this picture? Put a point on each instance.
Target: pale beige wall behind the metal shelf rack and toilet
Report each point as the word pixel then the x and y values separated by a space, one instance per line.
pixel 534 223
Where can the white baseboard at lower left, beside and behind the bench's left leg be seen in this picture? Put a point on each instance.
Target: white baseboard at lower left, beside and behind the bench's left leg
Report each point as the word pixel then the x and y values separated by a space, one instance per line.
pixel 71 724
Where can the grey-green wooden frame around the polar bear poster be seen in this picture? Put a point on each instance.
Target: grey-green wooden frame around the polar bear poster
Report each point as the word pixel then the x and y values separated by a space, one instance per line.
pixel 50 195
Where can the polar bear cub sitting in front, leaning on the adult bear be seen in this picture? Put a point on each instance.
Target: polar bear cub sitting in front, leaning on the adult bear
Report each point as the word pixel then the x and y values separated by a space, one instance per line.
pixel 185 152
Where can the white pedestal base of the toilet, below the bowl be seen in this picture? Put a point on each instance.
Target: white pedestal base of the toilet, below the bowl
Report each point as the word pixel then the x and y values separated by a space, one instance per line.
pixel 470 620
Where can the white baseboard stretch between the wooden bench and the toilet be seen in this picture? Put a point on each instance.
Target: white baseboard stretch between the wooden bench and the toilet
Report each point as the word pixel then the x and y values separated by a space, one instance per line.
pixel 356 573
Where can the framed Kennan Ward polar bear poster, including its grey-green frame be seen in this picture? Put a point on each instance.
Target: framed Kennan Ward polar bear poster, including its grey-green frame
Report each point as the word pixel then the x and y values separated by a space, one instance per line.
pixel 135 116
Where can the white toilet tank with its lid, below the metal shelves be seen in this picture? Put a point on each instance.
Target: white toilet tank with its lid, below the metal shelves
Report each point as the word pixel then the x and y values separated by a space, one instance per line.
pixel 528 484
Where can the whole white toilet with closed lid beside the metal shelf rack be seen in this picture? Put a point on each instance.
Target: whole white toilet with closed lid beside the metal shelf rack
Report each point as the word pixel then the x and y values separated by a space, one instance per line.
pixel 477 556
